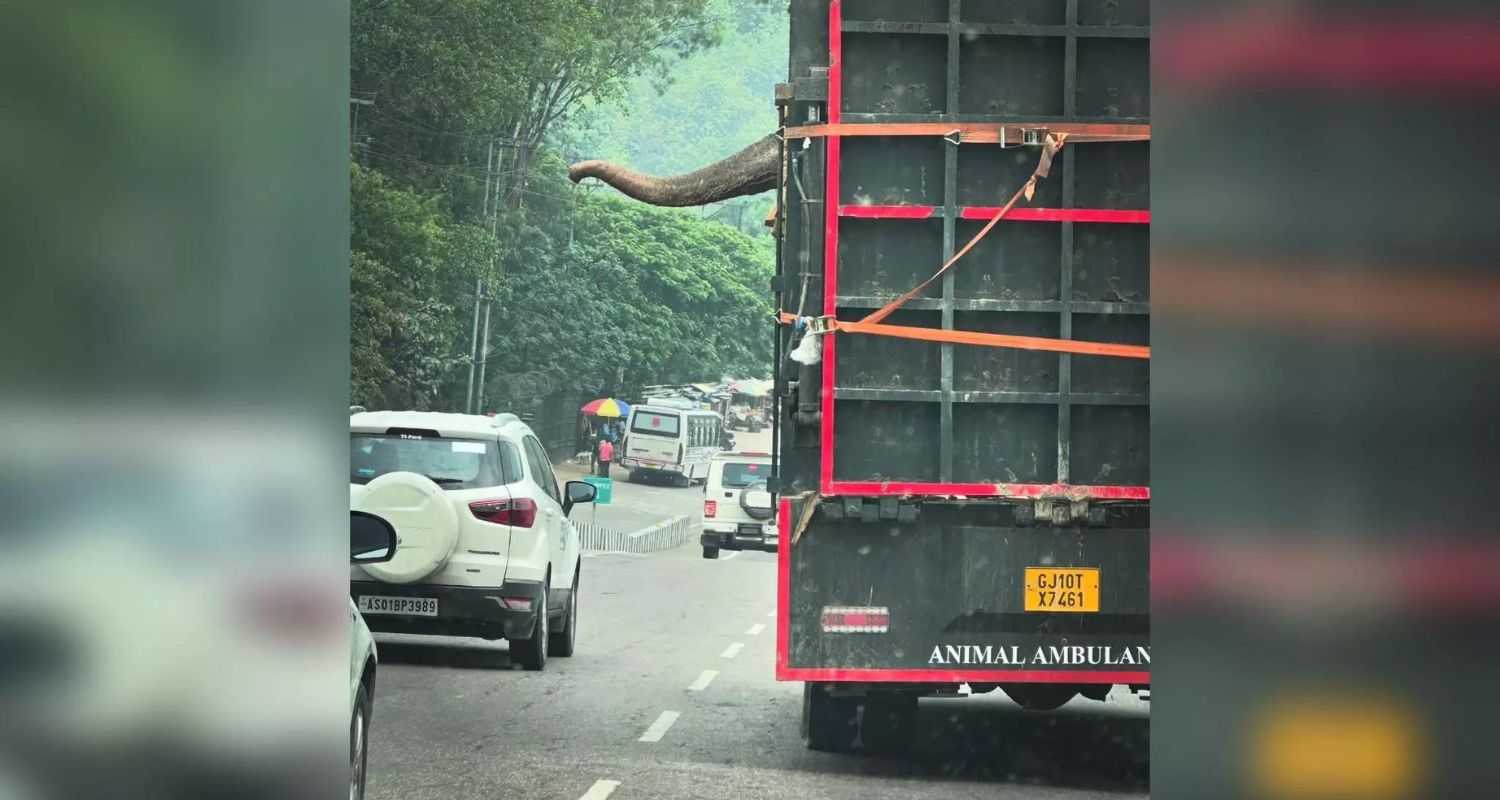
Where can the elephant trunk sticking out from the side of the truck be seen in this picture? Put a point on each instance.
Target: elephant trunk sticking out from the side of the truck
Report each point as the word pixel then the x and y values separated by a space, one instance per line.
pixel 745 173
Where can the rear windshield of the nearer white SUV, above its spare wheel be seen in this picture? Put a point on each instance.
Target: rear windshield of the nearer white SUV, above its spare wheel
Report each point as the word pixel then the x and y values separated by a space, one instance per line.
pixel 451 463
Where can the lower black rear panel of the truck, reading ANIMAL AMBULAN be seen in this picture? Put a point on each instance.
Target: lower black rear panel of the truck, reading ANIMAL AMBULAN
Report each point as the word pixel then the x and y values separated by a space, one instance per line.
pixel 949 594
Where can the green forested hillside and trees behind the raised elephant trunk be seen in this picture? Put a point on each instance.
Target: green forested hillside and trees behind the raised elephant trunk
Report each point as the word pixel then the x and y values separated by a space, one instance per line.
pixel 464 115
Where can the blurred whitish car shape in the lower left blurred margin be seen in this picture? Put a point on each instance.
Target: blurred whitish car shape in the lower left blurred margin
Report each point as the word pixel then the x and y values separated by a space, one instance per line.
pixel 172 615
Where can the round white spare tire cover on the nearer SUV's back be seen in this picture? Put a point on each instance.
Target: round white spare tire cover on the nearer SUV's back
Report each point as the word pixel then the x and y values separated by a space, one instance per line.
pixel 427 525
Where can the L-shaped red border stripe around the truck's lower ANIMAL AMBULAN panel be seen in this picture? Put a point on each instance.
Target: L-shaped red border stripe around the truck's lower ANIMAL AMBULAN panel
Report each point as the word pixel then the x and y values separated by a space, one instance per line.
pixel 788 673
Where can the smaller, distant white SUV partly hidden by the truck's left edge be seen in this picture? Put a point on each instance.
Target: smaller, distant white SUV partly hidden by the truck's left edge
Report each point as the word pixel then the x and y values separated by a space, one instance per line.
pixel 737 505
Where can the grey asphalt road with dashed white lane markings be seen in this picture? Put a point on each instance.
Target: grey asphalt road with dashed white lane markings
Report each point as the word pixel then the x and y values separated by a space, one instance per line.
pixel 671 696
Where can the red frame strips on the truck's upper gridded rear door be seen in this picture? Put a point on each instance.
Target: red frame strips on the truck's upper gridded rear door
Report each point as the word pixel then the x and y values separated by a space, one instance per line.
pixel 833 212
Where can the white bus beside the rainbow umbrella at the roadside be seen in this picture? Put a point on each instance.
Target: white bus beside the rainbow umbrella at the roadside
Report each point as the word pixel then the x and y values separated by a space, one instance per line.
pixel 671 441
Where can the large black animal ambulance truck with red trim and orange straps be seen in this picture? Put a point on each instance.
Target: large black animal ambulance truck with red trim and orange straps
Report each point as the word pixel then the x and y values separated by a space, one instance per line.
pixel 962 462
